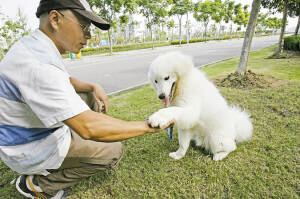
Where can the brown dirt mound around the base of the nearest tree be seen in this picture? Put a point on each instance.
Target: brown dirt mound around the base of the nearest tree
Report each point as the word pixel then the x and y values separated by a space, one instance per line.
pixel 248 81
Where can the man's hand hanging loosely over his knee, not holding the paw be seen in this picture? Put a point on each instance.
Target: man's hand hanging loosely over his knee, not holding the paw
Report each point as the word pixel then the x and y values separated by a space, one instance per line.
pixel 100 95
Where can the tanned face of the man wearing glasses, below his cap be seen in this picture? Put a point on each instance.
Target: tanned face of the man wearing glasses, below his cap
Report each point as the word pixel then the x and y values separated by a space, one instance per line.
pixel 72 31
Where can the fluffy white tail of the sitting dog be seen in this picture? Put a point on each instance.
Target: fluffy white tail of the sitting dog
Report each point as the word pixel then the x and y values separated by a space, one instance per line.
pixel 243 124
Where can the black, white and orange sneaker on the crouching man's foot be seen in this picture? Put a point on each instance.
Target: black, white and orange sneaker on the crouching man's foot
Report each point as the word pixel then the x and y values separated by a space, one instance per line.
pixel 27 188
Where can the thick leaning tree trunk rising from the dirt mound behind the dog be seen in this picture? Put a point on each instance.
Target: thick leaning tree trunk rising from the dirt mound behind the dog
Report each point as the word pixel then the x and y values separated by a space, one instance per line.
pixel 242 68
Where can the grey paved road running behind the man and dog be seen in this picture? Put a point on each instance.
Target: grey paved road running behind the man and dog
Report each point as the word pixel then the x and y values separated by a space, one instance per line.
pixel 128 69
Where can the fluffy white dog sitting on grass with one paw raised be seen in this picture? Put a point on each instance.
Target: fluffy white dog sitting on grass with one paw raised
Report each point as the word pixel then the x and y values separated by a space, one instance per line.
pixel 197 107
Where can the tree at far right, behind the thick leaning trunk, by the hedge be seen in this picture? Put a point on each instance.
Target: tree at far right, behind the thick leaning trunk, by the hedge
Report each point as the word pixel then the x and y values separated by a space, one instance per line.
pixel 288 8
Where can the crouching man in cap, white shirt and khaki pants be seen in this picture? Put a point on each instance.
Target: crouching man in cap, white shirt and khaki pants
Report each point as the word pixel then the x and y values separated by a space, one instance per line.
pixel 39 106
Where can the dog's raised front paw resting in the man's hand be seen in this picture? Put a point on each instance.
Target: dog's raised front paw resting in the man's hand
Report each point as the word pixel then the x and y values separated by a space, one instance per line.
pixel 161 118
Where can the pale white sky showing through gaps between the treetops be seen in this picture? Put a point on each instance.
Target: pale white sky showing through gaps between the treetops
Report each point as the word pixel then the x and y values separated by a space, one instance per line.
pixel 28 8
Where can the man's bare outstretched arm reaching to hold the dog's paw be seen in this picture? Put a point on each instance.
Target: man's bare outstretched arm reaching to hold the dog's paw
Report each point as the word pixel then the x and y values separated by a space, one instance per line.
pixel 91 125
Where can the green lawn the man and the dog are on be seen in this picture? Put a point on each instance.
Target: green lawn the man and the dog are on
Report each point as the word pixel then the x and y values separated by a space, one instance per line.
pixel 264 167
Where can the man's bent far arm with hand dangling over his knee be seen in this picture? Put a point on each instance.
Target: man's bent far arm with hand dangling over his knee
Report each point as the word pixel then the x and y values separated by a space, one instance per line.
pixel 98 91
